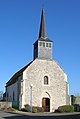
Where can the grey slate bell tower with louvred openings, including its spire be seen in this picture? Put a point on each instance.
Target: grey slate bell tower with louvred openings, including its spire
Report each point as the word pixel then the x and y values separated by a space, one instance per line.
pixel 43 46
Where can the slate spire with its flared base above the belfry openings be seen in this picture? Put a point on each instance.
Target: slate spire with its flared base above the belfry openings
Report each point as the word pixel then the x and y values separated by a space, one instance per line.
pixel 42 31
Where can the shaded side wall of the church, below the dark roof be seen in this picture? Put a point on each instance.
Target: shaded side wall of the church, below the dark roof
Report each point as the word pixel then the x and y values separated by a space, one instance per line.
pixel 13 93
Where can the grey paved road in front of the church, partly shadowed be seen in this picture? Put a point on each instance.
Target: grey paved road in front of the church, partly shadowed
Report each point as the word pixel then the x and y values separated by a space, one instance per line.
pixel 5 115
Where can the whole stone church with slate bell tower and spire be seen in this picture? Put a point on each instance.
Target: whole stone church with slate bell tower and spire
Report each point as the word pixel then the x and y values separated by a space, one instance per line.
pixel 42 82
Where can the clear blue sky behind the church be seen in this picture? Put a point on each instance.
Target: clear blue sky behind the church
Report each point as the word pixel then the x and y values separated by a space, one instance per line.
pixel 19 29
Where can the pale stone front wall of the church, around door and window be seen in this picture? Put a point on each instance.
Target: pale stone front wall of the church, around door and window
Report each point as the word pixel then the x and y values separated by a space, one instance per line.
pixel 56 90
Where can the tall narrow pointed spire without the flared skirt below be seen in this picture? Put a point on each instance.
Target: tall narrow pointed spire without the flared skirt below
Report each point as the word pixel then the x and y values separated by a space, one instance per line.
pixel 42 32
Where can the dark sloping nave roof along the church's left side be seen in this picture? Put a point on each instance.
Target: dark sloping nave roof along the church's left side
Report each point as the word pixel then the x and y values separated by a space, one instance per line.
pixel 14 78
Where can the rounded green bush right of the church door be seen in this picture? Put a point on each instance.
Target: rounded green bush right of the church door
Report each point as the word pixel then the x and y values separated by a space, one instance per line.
pixel 65 108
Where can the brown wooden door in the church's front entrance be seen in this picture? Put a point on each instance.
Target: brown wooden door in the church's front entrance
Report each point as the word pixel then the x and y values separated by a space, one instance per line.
pixel 46 104
